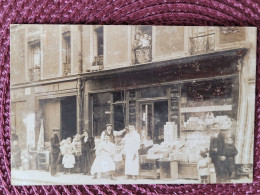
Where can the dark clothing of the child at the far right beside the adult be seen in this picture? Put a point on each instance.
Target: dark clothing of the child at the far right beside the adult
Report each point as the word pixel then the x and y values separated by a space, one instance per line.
pixel 230 152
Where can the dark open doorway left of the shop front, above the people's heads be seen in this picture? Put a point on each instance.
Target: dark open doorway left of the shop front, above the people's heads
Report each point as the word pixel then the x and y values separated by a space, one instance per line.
pixel 68 107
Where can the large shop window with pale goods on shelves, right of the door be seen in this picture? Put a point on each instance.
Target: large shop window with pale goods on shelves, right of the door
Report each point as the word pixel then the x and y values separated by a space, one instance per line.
pixel 209 105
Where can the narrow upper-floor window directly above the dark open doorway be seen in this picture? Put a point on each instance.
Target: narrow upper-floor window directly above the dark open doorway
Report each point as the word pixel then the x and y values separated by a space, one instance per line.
pixel 66 53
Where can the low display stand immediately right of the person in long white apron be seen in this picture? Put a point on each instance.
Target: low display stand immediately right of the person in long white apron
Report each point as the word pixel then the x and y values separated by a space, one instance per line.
pixel 148 167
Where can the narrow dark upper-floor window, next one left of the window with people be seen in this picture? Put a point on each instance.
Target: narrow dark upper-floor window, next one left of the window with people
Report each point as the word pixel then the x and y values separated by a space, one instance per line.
pixel 99 45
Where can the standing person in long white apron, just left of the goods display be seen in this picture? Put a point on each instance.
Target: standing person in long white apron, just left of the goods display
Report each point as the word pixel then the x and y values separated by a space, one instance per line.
pixel 131 147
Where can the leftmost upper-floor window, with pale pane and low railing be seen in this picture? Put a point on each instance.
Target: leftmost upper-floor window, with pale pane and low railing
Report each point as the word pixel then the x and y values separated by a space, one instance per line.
pixel 35 60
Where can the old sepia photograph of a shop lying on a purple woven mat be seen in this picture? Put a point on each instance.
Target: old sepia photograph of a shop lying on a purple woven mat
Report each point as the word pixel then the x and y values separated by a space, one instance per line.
pixel 121 104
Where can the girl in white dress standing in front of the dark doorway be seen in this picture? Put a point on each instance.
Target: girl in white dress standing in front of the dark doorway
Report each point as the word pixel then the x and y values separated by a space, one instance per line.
pixel 68 160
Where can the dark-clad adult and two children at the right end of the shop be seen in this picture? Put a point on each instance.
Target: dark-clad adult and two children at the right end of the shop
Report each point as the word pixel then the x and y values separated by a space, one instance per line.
pixel 222 152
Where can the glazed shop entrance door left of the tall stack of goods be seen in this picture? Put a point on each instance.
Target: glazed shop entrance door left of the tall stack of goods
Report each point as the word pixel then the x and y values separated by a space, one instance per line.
pixel 154 116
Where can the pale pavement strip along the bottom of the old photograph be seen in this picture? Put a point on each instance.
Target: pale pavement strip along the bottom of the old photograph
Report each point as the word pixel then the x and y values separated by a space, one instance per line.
pixel 36 177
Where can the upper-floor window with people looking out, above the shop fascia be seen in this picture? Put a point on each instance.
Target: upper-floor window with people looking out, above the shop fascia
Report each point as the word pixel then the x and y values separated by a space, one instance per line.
pixel 142 45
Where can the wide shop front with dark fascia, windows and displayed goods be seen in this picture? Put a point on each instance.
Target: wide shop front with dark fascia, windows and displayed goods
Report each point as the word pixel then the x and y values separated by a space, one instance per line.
pixel 176 106
